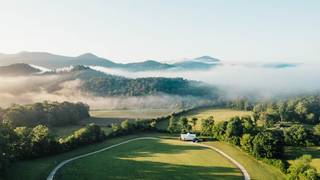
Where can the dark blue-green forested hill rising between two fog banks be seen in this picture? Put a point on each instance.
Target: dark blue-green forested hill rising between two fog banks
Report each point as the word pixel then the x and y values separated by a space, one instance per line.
pixel 120 86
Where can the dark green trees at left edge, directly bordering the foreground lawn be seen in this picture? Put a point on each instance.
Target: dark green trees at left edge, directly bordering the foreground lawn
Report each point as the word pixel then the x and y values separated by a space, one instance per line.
pixel 25 143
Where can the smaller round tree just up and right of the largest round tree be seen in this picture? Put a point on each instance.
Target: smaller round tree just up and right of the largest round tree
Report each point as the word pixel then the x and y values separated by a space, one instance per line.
pixel 296 135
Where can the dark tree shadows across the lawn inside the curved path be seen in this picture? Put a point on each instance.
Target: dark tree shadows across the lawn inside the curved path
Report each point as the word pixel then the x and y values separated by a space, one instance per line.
pixel 116 164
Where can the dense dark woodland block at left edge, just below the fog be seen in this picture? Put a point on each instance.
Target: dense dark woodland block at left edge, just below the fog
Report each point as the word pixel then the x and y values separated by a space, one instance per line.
pixel 46 113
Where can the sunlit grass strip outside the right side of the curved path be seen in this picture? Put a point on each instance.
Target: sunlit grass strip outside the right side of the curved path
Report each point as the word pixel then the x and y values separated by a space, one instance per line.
pixel 257 170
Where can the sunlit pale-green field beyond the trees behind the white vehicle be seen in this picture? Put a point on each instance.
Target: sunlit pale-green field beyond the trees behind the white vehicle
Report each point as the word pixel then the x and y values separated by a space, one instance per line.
pixel 218 115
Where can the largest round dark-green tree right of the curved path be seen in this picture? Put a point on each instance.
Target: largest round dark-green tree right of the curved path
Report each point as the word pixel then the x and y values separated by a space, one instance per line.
pixel 267 145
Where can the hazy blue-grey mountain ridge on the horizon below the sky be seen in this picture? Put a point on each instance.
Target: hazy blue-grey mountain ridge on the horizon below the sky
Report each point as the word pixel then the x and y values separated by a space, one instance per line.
pixel 53 61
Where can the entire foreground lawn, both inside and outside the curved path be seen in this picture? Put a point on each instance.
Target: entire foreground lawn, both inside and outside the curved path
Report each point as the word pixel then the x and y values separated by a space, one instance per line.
pixel 152 157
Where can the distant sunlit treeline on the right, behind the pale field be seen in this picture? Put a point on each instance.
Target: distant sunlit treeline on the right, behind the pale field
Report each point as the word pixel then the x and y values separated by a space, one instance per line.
pixel 301 109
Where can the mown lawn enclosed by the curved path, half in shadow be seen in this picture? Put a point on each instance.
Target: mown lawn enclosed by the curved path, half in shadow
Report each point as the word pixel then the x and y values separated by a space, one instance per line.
pixel 152 159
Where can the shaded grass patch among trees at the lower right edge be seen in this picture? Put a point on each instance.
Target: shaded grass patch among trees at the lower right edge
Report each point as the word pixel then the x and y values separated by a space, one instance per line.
pixel 293 153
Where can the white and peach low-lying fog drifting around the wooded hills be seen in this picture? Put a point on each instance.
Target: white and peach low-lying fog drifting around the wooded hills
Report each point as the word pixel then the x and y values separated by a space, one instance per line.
pixel 234 80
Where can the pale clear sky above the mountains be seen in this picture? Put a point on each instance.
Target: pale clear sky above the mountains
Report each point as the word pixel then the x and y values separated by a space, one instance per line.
pixel 134 30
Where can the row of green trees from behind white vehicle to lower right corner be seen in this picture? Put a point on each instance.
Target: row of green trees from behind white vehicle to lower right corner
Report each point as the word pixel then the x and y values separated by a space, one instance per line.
pixel 260 142
